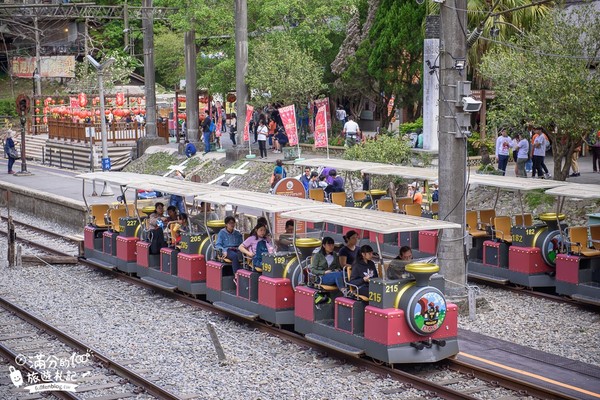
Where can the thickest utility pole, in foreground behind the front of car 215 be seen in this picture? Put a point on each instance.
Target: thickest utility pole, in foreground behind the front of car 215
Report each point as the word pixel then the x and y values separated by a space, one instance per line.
pixel 453 152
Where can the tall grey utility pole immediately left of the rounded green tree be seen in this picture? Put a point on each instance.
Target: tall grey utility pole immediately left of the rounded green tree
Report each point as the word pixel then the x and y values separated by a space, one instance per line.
pixel 241 64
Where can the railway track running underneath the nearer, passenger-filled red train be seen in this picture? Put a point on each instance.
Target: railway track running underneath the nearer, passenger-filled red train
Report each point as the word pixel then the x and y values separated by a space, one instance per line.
pixel 477 379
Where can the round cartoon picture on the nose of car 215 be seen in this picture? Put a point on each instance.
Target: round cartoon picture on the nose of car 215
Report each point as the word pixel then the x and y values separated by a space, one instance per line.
pixel 426 311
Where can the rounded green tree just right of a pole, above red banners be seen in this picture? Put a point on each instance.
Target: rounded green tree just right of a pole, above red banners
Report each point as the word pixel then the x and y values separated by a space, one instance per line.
pixel 280 71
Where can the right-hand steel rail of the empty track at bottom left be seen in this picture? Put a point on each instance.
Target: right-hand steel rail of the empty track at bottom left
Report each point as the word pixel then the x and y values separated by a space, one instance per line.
pixel 150 387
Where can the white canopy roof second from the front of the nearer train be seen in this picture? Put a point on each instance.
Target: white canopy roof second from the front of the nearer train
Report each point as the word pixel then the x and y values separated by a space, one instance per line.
pixel 262 201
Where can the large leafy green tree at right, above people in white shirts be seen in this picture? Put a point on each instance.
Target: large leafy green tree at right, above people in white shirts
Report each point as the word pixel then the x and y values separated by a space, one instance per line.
pixel 546 78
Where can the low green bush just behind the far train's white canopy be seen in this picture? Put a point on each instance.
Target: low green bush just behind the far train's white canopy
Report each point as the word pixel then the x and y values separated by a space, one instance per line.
pixel 386 149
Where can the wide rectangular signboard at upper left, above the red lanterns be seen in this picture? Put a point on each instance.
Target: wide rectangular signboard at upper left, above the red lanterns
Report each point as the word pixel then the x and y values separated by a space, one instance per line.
pixel 51 67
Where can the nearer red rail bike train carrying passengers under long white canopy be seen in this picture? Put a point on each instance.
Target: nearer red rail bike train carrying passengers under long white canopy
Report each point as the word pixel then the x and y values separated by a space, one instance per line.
pixel 404 320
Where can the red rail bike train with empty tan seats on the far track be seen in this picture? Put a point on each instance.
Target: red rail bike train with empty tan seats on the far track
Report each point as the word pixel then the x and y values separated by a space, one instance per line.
pixel 541 252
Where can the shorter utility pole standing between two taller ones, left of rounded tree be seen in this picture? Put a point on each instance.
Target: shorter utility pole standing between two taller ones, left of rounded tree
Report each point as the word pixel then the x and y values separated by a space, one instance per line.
pixel 191 92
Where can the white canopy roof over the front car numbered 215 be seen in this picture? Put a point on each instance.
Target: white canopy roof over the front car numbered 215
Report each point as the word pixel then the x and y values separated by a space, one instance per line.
pixel 372 220
